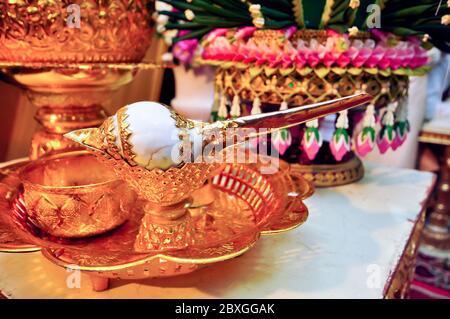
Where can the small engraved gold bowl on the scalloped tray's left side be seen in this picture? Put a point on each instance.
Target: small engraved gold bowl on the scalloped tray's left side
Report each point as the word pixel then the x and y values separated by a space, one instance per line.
pixel 73 195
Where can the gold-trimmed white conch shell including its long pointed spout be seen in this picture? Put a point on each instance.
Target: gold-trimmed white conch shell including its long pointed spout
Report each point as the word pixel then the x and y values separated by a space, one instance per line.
pixel 152 135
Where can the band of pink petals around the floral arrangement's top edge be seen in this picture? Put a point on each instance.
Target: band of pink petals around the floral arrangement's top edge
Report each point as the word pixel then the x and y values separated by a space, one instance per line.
pixel 338 50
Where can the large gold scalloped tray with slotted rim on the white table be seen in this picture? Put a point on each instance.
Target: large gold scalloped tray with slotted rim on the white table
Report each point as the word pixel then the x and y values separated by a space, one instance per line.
pixel 246 204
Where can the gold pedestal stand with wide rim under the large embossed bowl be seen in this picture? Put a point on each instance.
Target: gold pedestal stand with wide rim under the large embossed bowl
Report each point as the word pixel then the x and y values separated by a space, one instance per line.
pixel 68 96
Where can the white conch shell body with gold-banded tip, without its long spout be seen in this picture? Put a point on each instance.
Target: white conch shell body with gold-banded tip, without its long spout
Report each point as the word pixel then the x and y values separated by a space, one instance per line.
pixel 147 134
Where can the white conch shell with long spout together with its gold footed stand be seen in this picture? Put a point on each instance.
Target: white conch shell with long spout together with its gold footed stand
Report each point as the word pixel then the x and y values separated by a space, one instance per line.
pixel 126 143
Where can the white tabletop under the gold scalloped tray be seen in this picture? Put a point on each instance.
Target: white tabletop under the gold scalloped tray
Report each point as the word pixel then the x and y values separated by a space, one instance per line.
pixel 348 248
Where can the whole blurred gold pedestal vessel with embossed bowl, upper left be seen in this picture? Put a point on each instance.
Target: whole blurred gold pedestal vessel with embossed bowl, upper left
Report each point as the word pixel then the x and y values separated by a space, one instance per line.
pixel 69 70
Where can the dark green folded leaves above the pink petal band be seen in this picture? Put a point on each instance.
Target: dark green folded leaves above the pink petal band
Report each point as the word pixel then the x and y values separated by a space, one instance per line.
pixel 403 18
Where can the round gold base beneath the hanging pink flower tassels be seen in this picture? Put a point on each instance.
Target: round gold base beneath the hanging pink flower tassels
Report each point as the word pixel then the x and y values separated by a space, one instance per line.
pixel 331 175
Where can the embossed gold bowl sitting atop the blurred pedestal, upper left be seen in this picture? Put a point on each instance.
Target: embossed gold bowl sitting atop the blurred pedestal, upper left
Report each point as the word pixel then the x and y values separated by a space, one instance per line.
pixel 76 31
